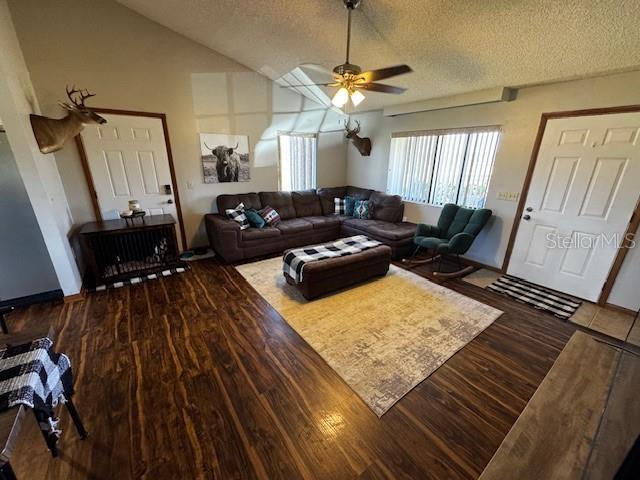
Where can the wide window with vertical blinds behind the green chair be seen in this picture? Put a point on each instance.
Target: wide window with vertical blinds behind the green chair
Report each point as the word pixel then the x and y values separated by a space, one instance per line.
pixel 445 166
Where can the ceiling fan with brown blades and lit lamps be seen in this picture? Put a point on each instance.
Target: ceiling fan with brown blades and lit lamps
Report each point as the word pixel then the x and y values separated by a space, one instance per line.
pixel 351 79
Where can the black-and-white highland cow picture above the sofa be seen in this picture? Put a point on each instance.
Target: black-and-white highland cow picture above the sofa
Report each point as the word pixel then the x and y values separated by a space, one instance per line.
pixel 225 158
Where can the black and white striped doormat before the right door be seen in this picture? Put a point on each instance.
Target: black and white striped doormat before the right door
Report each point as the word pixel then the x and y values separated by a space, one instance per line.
pixel 562 306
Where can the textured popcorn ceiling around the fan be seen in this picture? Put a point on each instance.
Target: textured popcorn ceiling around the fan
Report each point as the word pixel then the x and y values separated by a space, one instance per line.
pixel 453 46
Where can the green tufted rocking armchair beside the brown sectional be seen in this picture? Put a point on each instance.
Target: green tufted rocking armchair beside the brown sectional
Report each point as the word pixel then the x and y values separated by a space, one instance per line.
pixel 457 228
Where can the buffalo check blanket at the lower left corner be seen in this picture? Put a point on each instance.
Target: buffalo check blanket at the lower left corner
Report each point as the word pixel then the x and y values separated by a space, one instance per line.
pixel 32 374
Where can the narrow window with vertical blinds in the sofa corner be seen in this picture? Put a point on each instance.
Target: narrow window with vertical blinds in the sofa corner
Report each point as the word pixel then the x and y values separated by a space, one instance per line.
pixel 297 161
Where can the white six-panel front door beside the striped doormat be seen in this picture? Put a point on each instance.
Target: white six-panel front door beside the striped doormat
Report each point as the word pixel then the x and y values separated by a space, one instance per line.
pixel 582 195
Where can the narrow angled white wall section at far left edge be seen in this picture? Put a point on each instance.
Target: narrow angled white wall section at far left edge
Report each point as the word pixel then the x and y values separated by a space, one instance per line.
pixel 39 173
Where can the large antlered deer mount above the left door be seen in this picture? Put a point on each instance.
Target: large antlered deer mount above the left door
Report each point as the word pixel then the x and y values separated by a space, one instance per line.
pixel 52 133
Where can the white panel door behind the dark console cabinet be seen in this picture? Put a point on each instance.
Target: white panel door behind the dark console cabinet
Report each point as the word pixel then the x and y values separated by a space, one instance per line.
pixel 128 160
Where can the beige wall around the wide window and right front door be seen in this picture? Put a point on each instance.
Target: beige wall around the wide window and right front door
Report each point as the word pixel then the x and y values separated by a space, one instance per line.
pixel 519 119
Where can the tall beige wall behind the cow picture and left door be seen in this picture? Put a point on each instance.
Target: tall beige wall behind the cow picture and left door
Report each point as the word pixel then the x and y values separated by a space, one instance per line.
pixel 132 63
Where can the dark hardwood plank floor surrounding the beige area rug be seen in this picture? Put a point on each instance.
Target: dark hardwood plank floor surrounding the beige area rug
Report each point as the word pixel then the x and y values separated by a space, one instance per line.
pixel 196 376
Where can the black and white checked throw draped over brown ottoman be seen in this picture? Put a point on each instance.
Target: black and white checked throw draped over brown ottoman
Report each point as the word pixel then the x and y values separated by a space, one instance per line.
pixel 295 260
